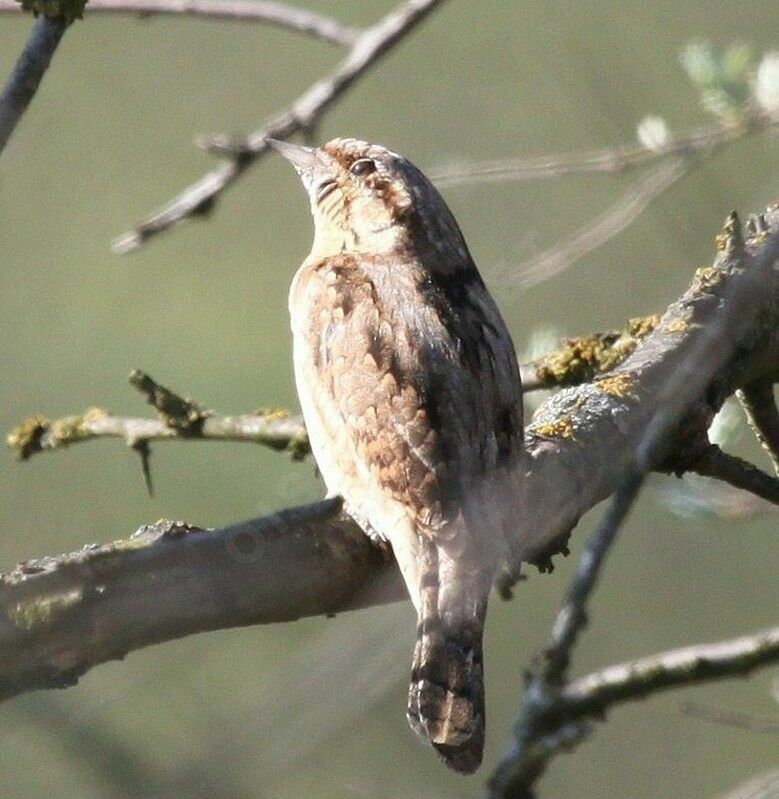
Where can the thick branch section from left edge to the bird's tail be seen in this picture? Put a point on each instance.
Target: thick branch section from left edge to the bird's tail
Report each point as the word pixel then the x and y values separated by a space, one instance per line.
pixel 61 616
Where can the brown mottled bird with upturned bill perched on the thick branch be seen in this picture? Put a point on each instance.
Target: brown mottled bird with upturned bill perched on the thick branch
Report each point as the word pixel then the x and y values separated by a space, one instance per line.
pixel 410 391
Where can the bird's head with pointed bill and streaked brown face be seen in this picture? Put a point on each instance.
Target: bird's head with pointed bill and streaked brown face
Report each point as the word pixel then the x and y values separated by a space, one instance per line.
pixel 367 199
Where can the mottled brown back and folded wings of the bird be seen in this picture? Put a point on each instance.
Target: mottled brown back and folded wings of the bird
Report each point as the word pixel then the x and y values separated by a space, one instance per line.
pixel 416 390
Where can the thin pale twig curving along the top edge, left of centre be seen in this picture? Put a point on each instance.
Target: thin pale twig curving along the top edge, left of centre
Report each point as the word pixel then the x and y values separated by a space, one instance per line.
pixel 281 14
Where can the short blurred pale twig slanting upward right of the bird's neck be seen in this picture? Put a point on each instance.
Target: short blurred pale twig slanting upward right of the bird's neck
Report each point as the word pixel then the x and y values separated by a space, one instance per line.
pixel 603 228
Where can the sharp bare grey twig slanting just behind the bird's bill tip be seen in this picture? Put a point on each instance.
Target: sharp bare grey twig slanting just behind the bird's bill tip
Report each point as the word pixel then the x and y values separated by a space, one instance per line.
pixel 200 197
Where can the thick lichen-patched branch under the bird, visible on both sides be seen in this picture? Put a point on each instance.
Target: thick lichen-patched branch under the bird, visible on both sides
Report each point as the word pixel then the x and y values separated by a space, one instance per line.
pixel 64 615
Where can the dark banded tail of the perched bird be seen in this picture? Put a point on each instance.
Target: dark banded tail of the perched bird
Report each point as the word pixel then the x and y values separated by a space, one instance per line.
pixel 446 696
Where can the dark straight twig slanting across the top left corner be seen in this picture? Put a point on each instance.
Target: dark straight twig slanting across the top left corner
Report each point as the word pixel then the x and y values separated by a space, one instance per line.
pixel 28 72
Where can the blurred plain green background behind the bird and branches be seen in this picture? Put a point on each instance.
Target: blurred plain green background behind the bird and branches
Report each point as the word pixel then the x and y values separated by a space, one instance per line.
pixel 203 309
